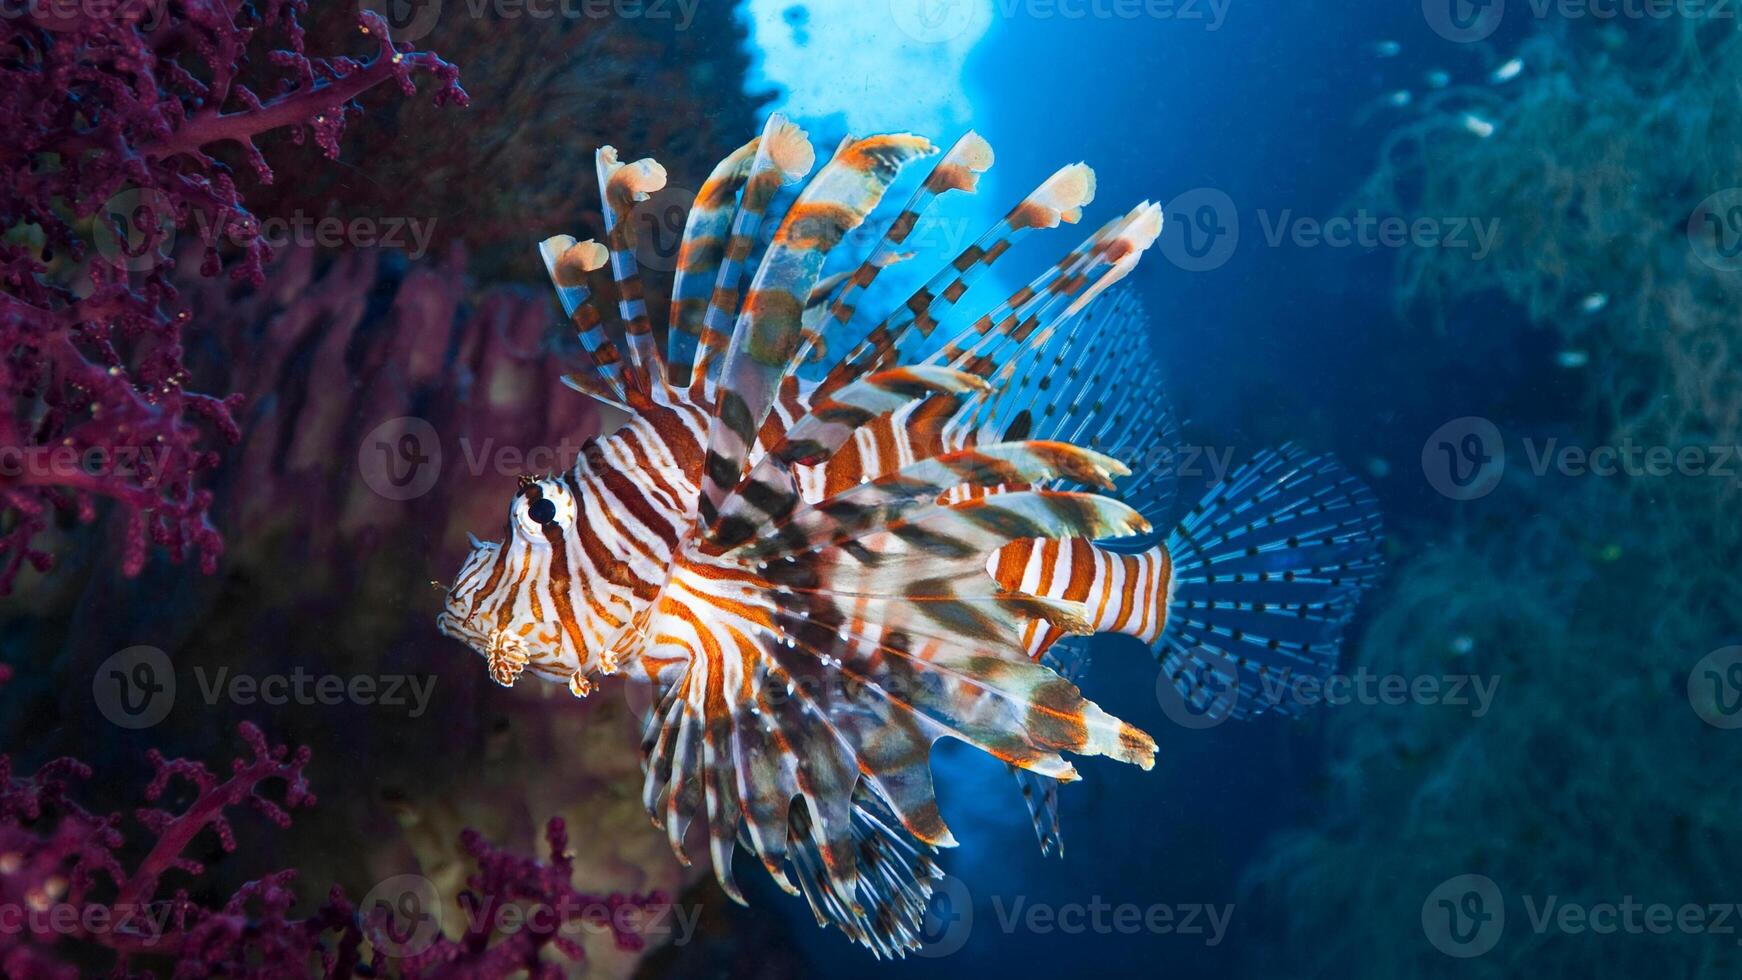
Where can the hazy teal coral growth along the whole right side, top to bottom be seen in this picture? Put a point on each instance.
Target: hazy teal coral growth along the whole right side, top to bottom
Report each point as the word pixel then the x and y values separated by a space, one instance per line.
pixel 1588 600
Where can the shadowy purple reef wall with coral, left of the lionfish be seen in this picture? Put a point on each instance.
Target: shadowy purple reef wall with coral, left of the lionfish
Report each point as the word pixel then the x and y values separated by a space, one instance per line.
pixel 325 568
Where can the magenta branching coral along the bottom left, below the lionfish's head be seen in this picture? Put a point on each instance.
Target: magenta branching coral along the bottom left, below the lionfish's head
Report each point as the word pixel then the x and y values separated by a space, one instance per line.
pixel 65 887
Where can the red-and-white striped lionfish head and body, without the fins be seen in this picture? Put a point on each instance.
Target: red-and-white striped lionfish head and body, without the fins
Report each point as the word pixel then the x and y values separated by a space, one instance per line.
pixel 565 596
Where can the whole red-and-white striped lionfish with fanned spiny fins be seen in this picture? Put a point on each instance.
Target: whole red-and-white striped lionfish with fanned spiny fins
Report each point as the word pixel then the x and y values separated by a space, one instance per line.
pixel 825 567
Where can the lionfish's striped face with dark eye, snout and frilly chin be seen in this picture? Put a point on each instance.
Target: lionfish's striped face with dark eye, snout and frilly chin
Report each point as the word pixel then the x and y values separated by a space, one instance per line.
pixel 503 603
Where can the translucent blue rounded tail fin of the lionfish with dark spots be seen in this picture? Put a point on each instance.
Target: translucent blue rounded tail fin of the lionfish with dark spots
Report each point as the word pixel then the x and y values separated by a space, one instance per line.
pixel 1269 570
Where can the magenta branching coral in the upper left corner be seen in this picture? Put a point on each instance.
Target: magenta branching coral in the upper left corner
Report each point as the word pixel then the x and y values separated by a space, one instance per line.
pixel 125 109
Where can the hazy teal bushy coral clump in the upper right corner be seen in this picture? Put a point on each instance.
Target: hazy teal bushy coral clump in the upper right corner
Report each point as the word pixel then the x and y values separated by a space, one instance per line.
pixel 1598 158
